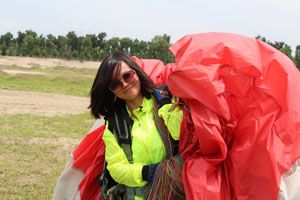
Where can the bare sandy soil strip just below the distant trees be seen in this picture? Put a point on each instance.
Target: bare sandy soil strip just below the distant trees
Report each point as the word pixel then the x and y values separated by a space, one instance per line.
pixel 28 62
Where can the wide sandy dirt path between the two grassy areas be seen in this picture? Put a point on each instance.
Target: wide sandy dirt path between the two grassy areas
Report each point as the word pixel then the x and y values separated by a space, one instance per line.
pixel 42 104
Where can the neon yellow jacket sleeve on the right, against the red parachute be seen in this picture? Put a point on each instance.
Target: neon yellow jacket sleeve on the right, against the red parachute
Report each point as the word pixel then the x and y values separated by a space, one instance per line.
pixel 172 119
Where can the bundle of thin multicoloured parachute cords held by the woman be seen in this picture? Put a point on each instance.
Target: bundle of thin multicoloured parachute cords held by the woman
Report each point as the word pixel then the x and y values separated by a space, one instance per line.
pixel 167 182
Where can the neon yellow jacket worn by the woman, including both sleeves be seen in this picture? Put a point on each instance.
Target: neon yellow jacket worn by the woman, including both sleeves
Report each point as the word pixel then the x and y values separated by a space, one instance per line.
pixel 147 146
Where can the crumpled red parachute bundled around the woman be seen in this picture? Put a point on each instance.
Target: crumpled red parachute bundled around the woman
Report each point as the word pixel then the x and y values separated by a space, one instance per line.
pixel 240 137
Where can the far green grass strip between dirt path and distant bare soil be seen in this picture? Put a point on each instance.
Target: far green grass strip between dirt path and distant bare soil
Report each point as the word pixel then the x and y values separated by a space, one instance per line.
pixel 61 80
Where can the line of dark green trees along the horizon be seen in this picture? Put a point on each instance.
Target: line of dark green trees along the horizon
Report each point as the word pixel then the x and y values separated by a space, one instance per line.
pixel 96 47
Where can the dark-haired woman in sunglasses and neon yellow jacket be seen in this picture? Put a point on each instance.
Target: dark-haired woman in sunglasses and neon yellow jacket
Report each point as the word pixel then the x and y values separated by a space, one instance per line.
pixel 123 94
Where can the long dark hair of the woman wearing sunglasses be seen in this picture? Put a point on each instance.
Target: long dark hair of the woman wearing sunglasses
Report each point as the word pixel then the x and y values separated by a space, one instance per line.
pixel 102 99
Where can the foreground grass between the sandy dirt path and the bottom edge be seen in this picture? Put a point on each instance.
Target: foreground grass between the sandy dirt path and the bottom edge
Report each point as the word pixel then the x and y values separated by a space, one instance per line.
pixel 34 150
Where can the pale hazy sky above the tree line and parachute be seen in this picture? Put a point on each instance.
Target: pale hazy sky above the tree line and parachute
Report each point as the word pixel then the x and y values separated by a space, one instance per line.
pixel 277 20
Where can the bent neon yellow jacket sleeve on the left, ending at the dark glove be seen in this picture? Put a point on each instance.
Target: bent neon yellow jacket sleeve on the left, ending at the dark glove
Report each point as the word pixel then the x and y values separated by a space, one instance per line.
pixel 129 174
